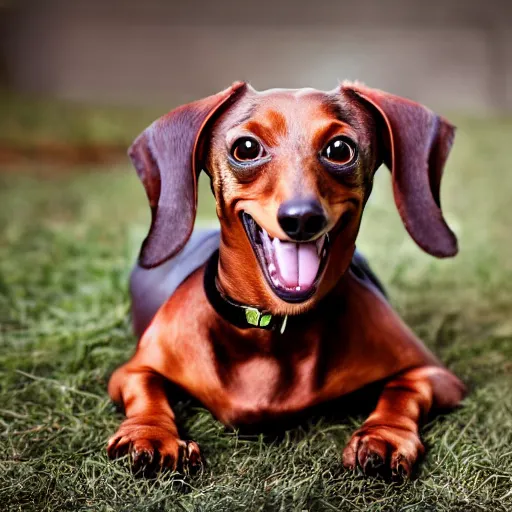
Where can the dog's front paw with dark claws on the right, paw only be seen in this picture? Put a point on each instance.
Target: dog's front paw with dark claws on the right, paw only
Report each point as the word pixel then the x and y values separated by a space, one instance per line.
pixel 383 451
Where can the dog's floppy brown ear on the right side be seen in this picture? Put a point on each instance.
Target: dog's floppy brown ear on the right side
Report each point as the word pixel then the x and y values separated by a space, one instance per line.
pixel 416 145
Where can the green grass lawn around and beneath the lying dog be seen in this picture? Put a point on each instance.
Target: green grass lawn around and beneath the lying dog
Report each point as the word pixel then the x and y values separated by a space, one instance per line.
pixel 66 247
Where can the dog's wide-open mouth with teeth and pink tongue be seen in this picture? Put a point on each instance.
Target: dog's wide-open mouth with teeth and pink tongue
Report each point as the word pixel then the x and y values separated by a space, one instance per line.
pixel 292 269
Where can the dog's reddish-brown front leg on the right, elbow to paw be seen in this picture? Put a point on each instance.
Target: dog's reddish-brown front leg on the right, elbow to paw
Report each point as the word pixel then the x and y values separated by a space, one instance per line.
pixel 388 442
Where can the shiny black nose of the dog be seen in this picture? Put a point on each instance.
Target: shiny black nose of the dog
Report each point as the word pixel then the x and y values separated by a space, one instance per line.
pixel 301 219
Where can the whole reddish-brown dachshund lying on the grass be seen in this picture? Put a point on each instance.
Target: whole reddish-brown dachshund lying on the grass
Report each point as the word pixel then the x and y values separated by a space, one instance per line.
pixel 285 315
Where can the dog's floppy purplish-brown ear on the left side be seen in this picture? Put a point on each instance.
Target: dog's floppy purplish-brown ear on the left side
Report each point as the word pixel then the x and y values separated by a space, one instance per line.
pixel 165 158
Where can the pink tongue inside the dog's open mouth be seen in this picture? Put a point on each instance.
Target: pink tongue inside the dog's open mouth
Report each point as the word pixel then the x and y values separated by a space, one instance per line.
pixel 297 264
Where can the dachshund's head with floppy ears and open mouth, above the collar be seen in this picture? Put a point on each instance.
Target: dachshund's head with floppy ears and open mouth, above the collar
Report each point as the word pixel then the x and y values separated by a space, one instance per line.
pixel 291 171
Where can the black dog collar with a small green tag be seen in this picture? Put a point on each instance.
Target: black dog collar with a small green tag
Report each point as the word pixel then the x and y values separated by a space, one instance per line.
pixel 240 315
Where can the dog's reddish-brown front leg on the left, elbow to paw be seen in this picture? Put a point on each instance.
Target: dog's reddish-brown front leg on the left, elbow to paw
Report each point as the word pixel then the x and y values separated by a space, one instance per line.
pixel 149 433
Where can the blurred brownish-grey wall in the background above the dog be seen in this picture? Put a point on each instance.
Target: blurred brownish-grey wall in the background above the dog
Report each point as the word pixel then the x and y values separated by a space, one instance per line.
pixel 451 55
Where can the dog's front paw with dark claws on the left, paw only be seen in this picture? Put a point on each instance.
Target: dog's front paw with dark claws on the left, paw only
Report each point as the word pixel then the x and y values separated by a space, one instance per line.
pixel 153 446
